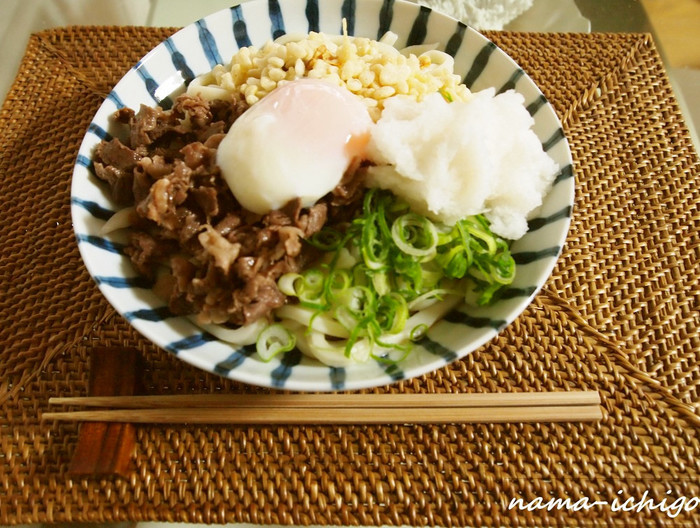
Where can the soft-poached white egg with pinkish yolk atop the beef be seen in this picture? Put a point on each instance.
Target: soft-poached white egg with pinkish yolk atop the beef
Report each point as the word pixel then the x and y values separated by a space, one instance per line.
pixel 296 142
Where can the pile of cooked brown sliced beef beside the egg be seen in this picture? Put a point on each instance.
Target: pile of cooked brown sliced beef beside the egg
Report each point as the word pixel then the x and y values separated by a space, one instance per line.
pixel 224 261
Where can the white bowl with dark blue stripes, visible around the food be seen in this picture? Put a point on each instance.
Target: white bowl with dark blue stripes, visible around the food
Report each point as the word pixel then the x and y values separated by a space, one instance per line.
pixel 165 71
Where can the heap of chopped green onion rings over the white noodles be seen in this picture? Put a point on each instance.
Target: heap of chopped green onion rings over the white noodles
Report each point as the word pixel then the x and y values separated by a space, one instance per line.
pixel 388 278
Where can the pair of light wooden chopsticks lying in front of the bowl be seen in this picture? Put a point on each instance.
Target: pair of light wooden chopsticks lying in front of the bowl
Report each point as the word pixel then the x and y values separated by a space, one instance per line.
pixel 257 409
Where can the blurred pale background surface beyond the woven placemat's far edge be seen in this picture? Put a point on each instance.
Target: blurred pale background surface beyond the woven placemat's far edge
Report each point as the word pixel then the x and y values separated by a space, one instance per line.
pixel 675 24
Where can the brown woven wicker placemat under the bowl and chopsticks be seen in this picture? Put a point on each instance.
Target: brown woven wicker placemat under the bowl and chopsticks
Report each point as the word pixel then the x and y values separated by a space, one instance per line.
pixel 619 315
